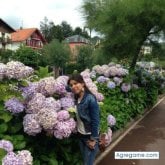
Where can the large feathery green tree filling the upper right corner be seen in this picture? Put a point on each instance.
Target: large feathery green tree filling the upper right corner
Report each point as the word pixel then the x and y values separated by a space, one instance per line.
pixel 125 24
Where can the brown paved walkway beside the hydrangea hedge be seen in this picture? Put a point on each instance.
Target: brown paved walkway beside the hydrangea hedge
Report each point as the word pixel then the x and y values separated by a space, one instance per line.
pixel 147 135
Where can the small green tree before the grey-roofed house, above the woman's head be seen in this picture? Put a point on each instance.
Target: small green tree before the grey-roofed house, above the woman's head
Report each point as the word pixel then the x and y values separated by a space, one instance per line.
pixel 84 57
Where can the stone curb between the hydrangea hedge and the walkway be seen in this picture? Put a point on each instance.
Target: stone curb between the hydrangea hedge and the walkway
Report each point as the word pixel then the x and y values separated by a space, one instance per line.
pixel 120 134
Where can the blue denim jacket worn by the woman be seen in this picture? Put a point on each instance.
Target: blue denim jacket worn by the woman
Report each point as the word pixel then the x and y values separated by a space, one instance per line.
pixel 89 113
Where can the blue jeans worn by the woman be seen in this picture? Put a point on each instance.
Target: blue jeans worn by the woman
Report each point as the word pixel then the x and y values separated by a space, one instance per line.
pixel 87 153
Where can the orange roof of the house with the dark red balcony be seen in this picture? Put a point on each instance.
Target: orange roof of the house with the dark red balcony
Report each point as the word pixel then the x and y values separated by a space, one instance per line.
pixel 23 34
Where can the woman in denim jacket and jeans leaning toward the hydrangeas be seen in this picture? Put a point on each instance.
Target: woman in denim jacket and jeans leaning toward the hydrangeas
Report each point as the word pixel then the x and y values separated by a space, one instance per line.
pixel 87 118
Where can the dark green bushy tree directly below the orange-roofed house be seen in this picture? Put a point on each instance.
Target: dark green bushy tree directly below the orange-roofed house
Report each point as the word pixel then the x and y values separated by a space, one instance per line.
pixel 27 56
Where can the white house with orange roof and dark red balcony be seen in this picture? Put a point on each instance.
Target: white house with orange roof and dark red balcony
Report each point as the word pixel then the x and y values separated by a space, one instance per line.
pixel 30 37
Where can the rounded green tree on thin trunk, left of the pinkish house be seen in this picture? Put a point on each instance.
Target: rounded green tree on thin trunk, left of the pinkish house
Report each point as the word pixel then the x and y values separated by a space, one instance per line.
pixel 57 55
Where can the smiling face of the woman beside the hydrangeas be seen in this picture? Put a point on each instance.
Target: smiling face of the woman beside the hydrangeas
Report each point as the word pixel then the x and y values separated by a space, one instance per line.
pixel 76 87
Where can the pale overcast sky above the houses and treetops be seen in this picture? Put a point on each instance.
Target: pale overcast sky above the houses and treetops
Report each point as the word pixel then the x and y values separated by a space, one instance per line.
pixel 29 13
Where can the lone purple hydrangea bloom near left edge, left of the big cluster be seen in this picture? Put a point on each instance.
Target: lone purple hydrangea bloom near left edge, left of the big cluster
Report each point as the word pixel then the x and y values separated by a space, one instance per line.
pixel 14 105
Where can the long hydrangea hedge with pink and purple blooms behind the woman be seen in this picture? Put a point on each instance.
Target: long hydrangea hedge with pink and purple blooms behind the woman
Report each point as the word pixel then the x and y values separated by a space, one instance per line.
pixel 39 115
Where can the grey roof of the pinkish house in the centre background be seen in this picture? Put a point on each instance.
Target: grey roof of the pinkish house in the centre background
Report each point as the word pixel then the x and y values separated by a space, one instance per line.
pixel 76 39
